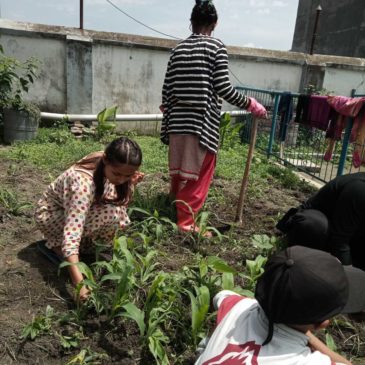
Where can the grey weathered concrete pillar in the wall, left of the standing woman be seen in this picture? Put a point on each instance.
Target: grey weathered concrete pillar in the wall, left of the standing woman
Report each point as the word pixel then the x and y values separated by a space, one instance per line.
pixel 79 79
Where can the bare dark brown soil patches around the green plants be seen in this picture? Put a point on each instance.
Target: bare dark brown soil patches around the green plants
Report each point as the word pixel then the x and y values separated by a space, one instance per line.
pixel 28 282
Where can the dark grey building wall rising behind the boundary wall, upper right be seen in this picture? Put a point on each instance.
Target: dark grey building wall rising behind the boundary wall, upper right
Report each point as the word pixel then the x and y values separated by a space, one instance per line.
pixel 340 31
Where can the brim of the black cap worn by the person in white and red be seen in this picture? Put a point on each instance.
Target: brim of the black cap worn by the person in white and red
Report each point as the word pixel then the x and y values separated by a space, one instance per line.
pixel 356 300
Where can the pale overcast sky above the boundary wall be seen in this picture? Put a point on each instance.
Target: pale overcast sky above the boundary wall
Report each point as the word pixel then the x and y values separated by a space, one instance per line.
pixel 252 23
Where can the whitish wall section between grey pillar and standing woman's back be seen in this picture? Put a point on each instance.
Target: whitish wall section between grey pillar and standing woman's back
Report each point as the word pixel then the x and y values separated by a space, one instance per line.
pixel 130 77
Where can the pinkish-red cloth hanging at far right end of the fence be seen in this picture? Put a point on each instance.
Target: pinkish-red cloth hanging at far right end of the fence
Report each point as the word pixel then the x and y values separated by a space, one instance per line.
pixel 353 107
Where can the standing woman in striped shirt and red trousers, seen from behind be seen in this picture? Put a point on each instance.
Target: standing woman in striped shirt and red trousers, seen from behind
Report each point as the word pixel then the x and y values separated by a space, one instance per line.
pixel 196 81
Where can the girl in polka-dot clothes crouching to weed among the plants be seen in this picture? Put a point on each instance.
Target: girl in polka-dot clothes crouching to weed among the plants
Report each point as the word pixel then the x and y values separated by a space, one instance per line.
pixel 88 201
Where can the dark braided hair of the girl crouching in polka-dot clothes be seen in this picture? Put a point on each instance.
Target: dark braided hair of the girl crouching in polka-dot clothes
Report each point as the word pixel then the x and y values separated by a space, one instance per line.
pixel 120 151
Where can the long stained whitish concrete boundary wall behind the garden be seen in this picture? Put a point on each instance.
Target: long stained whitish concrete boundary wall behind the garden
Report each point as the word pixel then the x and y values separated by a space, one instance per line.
pixel 85 71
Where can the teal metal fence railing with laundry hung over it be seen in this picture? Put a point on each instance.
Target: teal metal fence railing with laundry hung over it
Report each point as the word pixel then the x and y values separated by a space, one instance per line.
pixel 298 146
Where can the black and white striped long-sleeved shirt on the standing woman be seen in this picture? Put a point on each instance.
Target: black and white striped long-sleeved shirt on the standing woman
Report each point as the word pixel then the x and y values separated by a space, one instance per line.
pixel 196 79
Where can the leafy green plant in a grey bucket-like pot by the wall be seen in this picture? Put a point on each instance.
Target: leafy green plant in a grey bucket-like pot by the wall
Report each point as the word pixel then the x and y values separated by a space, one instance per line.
pixel 19 118
